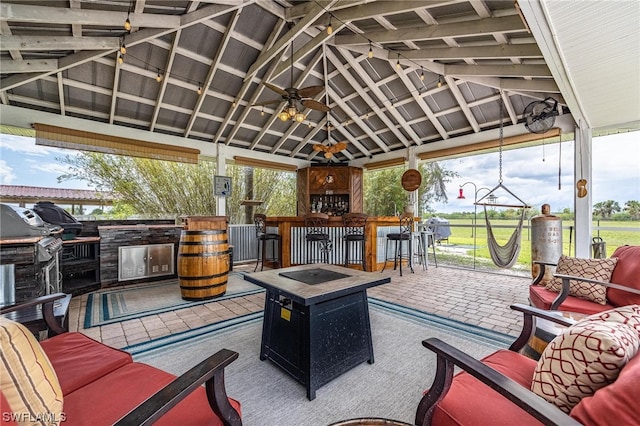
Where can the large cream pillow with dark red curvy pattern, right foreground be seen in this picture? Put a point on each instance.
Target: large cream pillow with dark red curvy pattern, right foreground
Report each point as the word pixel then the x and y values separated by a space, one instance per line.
pixel 583 359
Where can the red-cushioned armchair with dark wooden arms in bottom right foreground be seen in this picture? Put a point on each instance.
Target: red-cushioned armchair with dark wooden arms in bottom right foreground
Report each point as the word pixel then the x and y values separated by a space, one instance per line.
pixel 495 390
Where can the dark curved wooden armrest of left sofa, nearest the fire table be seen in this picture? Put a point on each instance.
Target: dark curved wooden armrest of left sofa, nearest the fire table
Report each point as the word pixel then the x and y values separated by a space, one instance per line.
pixel 211 372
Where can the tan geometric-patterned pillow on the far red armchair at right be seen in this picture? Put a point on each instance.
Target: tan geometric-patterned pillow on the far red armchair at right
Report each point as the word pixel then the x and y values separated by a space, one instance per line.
pixel 595 269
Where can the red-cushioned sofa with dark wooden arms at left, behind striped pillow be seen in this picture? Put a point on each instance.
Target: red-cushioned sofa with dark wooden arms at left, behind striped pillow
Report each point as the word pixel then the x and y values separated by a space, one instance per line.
pixel 102 385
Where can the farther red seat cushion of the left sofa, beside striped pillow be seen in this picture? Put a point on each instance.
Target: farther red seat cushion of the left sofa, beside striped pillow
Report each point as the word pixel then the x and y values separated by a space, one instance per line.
pixel 79 360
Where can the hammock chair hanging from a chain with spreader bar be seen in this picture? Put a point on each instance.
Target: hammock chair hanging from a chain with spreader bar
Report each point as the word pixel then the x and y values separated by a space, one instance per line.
pixel 503 256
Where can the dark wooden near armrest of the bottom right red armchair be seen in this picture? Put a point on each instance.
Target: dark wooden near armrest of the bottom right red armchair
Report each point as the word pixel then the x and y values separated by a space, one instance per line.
pixel 448 357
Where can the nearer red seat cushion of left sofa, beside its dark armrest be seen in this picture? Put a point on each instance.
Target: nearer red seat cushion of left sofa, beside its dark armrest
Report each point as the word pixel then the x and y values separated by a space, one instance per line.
pixel 114 395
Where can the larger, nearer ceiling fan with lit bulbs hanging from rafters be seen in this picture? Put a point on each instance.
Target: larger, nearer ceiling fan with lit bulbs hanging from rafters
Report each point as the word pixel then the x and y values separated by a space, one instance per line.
pixel 294 98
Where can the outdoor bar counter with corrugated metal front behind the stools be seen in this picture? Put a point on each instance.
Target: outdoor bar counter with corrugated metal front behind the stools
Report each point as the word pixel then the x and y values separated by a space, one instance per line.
pixel 294 248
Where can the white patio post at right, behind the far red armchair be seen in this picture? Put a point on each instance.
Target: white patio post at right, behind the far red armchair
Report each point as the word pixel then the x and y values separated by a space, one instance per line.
pixel 583 207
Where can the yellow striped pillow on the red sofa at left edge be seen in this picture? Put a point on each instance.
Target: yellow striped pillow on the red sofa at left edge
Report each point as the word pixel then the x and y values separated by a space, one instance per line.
pixel 27 379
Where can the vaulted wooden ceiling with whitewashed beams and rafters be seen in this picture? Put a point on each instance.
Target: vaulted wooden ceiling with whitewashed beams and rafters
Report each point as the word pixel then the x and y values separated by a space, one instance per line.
pixel 440 70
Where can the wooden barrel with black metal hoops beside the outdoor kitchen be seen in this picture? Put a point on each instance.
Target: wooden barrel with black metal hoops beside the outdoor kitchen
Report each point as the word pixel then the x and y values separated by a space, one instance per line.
pixel 203 263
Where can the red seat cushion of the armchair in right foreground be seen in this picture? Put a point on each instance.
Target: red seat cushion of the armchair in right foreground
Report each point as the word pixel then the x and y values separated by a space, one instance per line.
pixel 469 399
